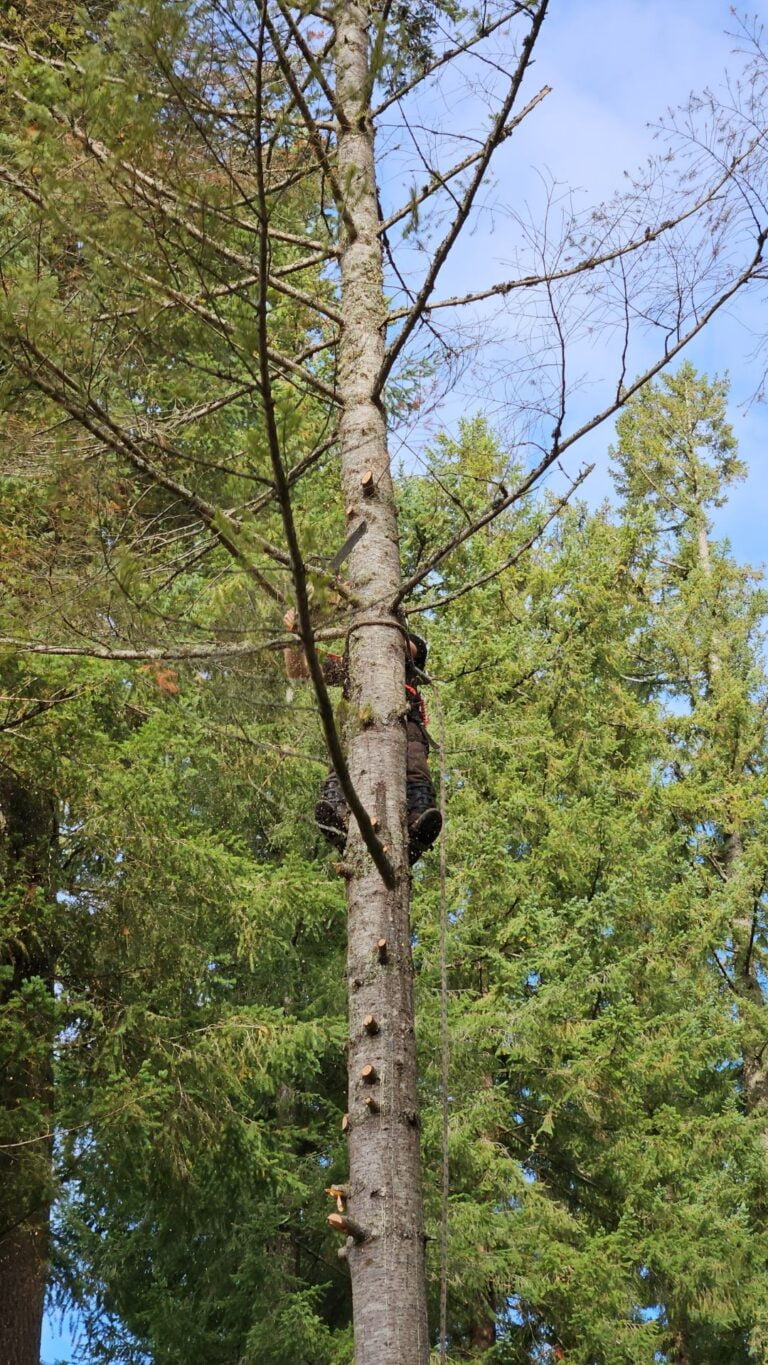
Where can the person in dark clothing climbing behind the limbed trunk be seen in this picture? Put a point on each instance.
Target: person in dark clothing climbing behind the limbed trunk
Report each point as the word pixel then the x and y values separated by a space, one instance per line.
pixel 332 813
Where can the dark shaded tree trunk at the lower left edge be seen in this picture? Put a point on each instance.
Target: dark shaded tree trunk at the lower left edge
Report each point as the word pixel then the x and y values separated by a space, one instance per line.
pixel 28 833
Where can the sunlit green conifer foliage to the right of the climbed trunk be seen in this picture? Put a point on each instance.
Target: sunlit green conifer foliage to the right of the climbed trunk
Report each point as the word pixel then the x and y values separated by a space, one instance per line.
pixel 608 1164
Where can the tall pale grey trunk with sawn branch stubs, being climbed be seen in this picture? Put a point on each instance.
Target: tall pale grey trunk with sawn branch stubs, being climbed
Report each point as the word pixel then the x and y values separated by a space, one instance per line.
pixel 385 1188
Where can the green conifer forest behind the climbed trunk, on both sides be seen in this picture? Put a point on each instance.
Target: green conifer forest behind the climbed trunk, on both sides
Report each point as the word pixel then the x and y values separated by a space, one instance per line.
pixel 590 968
